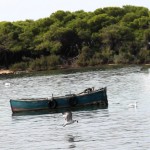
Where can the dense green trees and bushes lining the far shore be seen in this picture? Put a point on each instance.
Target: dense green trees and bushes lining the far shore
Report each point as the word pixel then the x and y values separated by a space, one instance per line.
pixel 109 35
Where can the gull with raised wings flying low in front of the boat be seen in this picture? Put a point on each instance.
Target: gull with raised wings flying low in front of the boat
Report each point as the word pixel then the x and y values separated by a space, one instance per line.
pixel 68 118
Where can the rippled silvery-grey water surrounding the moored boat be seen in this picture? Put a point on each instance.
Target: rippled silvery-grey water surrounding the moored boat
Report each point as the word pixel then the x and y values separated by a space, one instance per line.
pixel 115 128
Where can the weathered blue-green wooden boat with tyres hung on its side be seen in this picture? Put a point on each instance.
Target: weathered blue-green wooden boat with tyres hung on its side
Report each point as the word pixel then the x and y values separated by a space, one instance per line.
pixel 89 96
